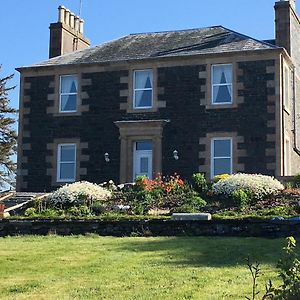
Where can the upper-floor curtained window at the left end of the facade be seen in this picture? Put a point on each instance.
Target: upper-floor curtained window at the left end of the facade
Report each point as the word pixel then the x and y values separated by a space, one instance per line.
pixel 68 93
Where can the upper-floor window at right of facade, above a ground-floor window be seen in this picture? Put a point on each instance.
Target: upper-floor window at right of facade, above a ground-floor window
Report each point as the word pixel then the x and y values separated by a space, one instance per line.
pixel 222 84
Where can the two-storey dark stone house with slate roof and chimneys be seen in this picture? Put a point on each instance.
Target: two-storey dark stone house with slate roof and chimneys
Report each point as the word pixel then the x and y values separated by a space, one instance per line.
pixel 205 100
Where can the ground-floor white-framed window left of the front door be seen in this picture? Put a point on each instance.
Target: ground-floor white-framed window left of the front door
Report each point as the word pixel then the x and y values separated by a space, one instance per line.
pixel 66 162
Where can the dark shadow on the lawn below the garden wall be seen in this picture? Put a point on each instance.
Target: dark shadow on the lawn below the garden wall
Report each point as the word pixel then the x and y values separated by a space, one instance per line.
pixel 207 251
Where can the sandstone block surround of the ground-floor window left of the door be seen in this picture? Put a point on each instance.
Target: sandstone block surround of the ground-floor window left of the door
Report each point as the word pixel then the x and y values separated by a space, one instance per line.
pixel 53 159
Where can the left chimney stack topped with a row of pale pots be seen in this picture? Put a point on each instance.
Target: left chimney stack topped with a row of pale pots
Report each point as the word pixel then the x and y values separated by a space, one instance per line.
pixel 67 34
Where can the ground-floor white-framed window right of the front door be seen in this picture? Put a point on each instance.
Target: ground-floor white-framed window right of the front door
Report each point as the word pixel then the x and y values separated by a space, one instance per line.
pixel 221 156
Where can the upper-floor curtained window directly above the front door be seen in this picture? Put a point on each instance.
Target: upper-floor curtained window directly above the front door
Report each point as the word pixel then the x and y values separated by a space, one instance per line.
pixel 143 89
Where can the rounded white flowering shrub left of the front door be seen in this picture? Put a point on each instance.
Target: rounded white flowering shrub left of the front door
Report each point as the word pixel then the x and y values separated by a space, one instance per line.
pixel 79 193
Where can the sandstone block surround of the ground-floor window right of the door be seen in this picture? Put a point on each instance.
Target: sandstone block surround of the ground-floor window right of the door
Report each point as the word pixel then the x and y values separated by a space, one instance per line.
pixel 236 153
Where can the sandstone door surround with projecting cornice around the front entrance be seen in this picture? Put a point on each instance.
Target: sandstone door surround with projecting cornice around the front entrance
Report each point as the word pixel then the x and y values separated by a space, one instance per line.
pixel 132 131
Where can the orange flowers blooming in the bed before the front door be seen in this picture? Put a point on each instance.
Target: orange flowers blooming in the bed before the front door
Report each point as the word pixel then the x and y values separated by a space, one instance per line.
pixel 167 184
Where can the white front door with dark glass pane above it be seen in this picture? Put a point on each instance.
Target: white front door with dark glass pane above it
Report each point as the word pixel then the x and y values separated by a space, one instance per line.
pixel 142 159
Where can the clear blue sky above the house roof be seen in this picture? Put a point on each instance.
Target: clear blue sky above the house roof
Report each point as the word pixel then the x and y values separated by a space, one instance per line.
pixel 25 23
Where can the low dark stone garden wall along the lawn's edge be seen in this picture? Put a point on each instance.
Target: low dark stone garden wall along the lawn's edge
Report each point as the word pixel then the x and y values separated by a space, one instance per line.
pixel 272 229
